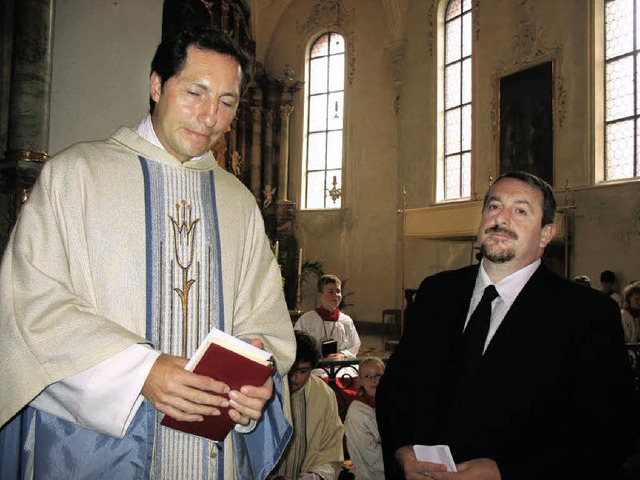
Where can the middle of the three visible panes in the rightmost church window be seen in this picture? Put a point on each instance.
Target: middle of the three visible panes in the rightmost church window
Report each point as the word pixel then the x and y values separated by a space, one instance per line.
pixel 619 89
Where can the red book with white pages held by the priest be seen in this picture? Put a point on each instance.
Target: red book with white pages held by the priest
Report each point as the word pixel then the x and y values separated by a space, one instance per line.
pixel 229 360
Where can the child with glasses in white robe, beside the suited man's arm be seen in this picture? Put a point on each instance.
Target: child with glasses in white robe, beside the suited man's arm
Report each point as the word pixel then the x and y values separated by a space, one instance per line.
pixel 361 427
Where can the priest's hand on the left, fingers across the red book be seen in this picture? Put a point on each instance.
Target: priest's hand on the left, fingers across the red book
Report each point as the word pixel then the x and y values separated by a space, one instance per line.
pixel 181 394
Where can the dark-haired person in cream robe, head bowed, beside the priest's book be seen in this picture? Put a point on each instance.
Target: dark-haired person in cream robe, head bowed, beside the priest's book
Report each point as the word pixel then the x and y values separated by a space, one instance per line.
pixel 315 449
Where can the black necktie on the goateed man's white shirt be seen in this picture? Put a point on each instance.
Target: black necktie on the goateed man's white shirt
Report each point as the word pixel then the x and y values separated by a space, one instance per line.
pixel 475 335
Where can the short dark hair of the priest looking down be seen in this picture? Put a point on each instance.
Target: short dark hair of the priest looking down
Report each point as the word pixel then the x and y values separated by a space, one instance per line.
pixel 171 54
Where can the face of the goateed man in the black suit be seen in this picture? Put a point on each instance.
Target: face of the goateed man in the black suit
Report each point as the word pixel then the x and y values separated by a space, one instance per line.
pixel 511 229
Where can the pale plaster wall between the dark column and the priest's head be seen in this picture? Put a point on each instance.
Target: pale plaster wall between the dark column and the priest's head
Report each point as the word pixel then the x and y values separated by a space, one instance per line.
pixel 102 54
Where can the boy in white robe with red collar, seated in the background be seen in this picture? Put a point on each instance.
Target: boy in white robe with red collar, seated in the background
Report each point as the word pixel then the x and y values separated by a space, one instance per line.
pixel 327 324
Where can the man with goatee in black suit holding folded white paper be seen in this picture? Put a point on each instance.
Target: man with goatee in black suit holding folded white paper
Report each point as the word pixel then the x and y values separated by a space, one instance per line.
pixel 551 395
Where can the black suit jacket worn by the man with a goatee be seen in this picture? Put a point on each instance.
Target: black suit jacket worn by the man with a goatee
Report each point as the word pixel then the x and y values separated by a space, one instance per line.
pixel 553 394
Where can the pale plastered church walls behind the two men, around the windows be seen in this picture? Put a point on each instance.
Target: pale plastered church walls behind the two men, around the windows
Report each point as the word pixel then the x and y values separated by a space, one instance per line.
pixel 102 51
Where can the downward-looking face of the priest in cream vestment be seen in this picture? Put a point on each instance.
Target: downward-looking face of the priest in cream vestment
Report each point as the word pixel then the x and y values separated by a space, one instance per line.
pixel 195 107
